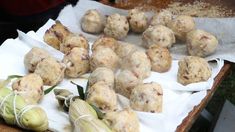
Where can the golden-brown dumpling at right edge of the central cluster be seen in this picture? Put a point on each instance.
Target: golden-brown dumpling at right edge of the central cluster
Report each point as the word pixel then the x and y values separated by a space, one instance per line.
pixel 160 58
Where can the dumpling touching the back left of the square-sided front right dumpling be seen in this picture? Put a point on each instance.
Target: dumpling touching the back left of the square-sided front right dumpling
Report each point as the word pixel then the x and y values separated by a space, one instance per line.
pixel 125 81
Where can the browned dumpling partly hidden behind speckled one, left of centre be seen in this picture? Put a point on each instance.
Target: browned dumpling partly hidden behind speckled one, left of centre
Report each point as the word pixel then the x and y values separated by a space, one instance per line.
pixel 74 40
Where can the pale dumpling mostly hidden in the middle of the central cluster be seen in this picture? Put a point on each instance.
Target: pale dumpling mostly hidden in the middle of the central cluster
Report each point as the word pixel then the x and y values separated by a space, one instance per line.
pixel 124 49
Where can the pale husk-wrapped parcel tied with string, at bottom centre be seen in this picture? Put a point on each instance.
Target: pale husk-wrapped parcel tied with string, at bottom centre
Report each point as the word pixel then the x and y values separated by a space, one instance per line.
pixel 84 118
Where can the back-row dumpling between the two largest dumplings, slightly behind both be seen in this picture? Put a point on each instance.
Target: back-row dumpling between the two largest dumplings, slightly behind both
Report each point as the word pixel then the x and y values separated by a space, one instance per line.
pixel 181 25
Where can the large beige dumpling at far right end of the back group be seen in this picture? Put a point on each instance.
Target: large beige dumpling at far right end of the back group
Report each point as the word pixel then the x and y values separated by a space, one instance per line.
pixel 201 43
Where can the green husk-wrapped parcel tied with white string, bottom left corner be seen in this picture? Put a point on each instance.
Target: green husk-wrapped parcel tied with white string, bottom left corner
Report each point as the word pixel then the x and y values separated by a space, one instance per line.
pixel 25 116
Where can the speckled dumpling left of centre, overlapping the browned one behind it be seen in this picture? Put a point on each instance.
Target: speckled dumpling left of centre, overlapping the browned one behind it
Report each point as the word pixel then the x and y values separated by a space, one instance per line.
pixel 77 62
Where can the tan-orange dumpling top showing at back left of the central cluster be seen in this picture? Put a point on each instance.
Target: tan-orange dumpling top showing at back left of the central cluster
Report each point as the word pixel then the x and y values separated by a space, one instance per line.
pixel 107 42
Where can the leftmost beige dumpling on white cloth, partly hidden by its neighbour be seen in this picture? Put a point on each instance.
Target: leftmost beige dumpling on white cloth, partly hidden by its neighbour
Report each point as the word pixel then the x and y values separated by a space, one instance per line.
pixel 33 57
